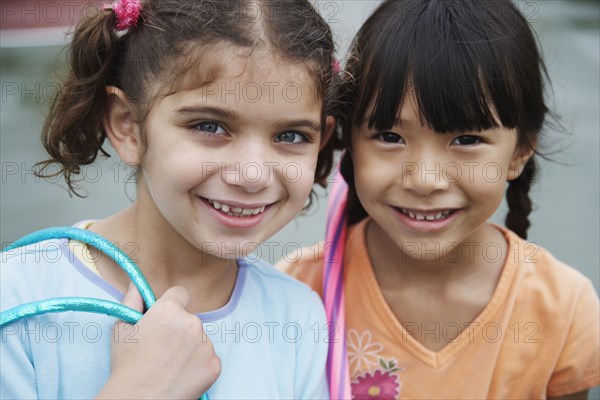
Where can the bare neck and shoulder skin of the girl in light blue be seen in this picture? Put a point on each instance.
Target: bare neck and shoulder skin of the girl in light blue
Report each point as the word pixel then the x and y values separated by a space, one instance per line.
pixel 165 258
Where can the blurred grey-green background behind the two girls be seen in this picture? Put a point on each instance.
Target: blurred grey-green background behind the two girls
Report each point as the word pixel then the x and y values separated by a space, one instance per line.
pixel 566 219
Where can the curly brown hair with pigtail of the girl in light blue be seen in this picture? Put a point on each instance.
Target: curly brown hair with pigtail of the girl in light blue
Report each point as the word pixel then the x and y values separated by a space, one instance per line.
pixel 162 47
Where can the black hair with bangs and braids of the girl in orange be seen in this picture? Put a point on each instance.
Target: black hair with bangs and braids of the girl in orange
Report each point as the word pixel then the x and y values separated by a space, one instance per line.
pixel 455 55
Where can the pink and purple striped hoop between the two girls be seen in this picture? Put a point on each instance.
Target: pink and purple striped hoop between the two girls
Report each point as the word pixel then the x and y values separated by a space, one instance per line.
pixel 333 290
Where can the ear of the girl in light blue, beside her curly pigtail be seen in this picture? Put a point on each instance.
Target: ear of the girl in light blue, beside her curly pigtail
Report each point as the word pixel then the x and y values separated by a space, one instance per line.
pixel 121 129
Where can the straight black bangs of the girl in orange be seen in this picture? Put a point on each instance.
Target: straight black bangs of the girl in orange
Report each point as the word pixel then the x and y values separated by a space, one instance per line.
pixel 463 75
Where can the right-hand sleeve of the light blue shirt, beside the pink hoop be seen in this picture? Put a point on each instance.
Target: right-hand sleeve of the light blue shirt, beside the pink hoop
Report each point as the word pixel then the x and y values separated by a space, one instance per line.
pixel 311 354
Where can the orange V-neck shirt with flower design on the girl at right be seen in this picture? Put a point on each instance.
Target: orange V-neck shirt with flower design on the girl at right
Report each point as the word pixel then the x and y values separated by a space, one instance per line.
pixel 537 337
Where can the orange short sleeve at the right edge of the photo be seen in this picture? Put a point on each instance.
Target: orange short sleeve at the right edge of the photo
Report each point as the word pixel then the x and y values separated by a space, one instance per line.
pixel 578 367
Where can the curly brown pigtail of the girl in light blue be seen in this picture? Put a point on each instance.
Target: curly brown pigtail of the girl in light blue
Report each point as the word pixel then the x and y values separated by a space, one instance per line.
pixel 73 133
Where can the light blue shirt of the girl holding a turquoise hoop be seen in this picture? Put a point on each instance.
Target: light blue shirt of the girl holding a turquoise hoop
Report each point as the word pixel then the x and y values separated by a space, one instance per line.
pixel 271 336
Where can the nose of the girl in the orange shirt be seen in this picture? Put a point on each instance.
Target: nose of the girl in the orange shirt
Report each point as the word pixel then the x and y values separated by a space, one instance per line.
pixel 424 174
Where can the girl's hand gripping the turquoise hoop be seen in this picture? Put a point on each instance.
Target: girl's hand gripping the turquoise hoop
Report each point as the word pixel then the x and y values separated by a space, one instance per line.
pixel 165 355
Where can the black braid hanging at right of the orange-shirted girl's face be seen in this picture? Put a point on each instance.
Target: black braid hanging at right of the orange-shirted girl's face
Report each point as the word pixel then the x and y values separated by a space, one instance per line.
pixel 519 203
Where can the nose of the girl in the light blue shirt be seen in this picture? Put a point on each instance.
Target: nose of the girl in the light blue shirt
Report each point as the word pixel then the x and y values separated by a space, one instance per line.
pixel 250 169
